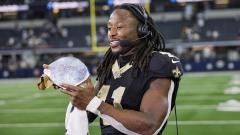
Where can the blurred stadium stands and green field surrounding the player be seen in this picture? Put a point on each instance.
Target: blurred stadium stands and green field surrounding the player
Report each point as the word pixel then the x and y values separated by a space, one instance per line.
pixel 204 34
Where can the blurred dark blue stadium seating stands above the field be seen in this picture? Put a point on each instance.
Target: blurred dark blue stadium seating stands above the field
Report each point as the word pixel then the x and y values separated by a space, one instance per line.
pixel 186 38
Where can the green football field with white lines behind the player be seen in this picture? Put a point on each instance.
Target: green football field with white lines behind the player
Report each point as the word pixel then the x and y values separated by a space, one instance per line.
pixel 24 110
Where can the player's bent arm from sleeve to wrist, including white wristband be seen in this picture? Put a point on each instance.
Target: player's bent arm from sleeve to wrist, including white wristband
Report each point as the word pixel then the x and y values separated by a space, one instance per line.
pixel 154 111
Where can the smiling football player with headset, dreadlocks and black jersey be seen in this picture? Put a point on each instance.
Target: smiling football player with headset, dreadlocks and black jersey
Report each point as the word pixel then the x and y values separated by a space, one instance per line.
pixel 137 82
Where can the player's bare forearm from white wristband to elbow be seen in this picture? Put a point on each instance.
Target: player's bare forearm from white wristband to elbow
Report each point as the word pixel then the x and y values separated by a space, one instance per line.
pixel 136 121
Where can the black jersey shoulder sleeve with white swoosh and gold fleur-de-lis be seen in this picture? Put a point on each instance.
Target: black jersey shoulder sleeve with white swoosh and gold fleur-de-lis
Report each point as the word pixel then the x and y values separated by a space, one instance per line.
pixel 165 65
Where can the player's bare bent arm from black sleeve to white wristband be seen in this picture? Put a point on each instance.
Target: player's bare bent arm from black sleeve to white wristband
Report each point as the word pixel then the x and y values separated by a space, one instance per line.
pixel 153 111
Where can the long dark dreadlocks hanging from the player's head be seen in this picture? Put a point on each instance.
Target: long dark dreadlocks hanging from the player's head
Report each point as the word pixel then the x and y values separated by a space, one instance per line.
pixel 143 51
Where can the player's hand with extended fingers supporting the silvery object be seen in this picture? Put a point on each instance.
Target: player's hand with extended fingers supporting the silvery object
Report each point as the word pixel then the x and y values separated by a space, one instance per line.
pixel 80 96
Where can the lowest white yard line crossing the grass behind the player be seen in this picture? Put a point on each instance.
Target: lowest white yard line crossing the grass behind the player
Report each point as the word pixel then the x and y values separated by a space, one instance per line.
pixel 171 123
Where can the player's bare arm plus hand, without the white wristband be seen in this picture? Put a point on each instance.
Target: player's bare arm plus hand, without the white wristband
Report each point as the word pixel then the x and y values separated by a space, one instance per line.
pixel 154 110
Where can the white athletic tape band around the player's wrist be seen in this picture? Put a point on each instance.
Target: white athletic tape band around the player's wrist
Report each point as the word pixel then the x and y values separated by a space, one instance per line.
pixel 93 105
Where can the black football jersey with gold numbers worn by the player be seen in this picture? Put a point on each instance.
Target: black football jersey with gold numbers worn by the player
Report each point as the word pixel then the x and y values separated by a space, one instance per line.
pixel 123 91
